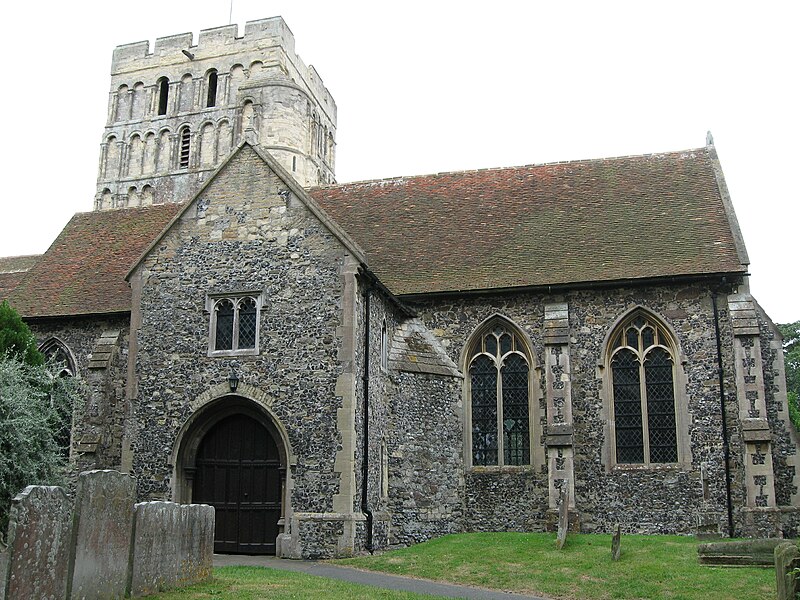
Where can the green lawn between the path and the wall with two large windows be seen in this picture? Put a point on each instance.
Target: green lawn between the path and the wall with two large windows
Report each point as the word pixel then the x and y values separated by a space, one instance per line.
pixel 649 567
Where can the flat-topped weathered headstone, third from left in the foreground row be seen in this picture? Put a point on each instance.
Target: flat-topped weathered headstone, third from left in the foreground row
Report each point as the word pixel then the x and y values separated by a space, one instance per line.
pixel 156 557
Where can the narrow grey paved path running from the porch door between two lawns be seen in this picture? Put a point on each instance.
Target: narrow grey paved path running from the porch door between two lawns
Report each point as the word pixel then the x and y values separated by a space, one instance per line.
pixel 381 580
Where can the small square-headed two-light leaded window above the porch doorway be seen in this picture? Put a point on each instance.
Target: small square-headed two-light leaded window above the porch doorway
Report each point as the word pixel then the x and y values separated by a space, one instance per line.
pixel 234 325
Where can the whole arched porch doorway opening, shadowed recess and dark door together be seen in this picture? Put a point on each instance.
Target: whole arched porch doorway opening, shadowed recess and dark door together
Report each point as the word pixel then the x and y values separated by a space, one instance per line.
pixel 234 460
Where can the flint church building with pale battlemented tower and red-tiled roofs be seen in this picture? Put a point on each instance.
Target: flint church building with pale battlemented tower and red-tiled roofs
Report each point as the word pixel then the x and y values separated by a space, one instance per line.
pixel 339 368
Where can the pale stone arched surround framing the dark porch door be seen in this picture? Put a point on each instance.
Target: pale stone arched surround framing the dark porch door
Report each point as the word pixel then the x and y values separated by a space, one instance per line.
pixel 210 409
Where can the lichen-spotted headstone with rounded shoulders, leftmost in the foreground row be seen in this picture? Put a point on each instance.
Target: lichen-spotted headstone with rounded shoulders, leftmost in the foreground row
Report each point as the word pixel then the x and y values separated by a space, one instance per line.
pixel 38 545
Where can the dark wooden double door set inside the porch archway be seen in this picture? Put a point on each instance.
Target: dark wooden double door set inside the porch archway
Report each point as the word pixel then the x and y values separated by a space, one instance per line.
pixel 239 474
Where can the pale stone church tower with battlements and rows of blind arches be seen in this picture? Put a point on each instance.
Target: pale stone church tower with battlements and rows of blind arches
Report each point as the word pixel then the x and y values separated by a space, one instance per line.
pixel 174 114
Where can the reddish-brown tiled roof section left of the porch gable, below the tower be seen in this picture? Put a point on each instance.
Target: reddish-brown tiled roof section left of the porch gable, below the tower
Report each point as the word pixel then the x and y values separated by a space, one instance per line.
pixel 83 271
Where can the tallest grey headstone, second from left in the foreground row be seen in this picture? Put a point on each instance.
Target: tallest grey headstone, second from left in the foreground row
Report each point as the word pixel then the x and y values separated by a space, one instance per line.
pixel 102 528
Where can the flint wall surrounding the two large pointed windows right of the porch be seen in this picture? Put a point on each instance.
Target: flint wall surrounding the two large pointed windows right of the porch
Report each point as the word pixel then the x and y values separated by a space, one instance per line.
pixel 516 498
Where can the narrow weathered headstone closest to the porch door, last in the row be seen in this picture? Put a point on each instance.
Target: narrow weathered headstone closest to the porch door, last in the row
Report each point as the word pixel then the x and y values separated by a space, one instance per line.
pixel 197 550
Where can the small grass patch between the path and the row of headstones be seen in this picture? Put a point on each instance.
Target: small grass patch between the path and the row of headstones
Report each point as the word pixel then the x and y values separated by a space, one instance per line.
pixel 258 583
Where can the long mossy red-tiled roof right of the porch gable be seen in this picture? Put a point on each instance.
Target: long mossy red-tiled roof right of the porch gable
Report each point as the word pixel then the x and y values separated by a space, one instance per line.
pixel 612 219
